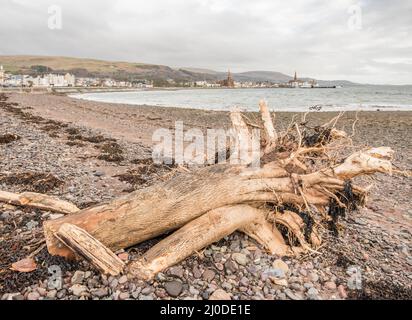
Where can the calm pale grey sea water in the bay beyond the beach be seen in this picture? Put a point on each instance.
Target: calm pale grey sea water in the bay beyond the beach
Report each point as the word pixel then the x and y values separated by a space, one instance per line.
pixel 389 98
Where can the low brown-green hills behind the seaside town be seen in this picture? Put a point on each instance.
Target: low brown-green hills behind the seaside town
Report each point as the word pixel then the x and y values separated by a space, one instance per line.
pixel 119 70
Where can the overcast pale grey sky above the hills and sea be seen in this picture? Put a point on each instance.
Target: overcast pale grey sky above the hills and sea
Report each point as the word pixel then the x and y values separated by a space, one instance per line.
pixel 367 41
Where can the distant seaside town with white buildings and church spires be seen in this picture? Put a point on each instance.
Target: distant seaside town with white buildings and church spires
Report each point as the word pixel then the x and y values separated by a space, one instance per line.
pixel 56 80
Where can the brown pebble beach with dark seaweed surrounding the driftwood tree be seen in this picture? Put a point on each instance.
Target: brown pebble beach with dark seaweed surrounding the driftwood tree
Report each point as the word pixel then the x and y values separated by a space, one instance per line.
pixel 90 152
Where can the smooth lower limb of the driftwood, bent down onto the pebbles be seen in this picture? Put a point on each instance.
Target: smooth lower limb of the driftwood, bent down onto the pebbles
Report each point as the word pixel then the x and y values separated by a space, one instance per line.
pixel 202 232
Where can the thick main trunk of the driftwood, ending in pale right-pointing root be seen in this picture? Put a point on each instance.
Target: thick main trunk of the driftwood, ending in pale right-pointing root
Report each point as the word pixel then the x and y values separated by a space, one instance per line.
pixel 145 214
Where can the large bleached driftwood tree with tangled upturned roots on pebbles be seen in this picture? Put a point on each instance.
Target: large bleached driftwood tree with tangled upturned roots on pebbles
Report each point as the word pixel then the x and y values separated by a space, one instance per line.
pixel 297 178
